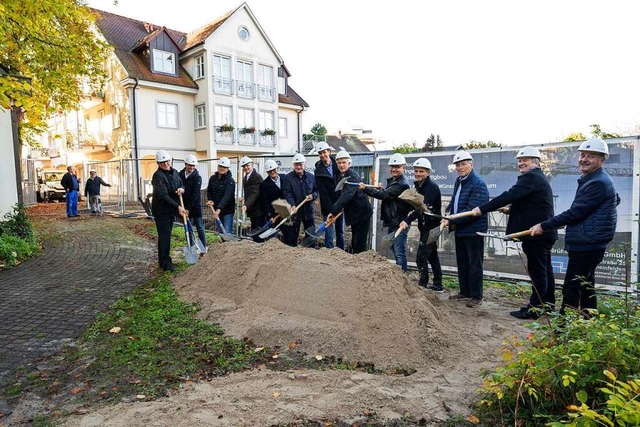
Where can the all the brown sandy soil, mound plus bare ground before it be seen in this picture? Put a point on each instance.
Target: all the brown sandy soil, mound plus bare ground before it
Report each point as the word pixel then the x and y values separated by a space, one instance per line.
pixel 330 303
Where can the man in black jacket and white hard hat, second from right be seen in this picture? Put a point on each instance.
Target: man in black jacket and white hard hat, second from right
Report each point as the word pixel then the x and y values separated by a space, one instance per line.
pixel 531 200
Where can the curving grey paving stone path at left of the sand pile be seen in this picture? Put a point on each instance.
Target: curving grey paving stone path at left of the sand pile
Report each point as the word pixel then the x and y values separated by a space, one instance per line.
pixel 48 300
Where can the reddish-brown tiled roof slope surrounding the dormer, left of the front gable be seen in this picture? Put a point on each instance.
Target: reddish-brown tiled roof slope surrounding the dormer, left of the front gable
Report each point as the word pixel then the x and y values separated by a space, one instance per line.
pixel 126 34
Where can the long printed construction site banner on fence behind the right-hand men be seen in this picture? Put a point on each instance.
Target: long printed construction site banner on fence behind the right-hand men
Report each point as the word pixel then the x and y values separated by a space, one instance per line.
pixel 498 168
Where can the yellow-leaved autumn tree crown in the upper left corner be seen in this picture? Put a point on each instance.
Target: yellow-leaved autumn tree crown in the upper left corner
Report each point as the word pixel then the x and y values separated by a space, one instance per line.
pixel 48 48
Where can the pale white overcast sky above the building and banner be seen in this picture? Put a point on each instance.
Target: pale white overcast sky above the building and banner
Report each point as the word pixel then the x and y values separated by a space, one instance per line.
pixel 514 72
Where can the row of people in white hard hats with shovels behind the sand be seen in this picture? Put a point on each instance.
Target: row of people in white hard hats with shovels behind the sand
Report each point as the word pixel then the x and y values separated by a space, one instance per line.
pixel 590 220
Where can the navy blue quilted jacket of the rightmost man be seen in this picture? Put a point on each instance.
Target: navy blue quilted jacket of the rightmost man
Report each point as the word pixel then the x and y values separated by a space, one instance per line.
pixel 592 217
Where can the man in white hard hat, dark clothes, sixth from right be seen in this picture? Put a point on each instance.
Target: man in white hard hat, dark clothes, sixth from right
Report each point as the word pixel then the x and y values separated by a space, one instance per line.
pixel 356 206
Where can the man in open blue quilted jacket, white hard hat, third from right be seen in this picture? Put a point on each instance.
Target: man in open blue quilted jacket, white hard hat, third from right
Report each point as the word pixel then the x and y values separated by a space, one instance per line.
pixel 469 191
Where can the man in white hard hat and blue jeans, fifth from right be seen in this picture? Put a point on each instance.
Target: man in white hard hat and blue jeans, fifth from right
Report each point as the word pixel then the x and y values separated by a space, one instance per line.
pixel 393 209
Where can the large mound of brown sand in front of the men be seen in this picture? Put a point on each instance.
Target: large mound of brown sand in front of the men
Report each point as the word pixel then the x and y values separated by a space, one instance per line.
pixel 358 307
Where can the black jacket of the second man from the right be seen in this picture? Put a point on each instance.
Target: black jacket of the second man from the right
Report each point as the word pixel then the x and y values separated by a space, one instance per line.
pixel 531 200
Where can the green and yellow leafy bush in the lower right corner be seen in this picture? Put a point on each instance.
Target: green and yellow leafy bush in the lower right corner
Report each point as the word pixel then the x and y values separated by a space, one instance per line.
pixel 560 360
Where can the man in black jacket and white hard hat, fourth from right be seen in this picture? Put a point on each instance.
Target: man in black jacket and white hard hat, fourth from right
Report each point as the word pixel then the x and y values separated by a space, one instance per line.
pixel 427 252
